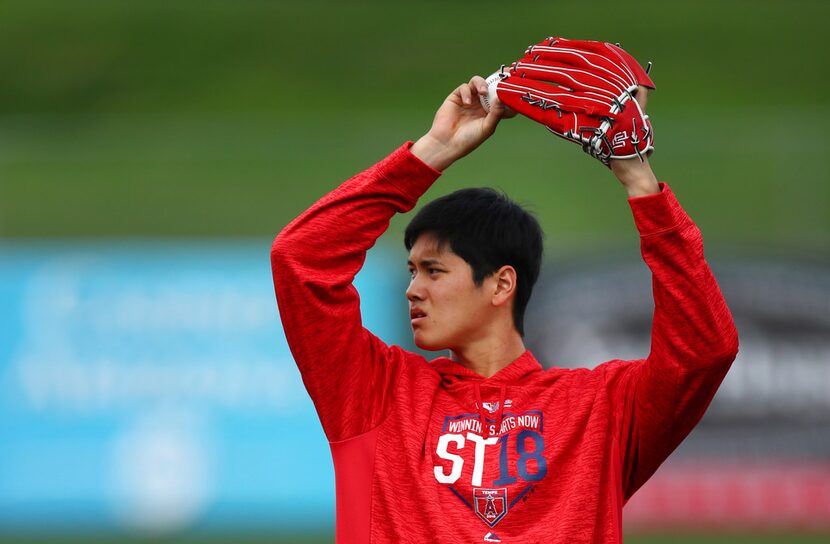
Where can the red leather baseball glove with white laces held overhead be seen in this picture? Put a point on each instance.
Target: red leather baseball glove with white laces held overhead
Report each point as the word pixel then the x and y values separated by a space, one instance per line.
pixel 582 91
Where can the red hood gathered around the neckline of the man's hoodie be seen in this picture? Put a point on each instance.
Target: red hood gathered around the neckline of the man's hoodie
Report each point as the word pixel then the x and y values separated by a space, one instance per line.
pixel 466 385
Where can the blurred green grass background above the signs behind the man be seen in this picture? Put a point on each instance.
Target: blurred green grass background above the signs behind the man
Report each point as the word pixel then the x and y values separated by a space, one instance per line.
pixel 227 118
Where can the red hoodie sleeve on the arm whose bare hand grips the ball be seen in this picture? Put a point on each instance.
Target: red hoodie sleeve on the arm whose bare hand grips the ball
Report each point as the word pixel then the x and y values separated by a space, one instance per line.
pixel 345 368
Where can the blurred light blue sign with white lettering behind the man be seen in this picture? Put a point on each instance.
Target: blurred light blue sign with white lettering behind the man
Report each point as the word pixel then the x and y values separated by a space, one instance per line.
pixel 149 386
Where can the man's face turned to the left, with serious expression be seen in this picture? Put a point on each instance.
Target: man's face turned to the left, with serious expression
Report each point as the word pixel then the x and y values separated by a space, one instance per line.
pixel 447 309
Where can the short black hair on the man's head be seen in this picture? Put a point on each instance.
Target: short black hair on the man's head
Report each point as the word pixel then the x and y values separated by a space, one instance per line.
pixel 488 230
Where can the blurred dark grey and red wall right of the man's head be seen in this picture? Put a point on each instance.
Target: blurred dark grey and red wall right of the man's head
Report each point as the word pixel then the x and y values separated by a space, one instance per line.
pixel 759 458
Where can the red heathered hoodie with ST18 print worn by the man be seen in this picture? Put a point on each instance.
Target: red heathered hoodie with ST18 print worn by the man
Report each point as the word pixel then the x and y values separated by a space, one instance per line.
pixel 433 452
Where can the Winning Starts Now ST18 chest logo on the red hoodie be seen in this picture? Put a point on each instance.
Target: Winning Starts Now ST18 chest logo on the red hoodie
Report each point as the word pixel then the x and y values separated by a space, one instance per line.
pixel 491 467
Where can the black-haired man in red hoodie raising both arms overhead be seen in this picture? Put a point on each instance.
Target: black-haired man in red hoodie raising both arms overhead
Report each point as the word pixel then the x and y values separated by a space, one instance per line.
pixel 485 445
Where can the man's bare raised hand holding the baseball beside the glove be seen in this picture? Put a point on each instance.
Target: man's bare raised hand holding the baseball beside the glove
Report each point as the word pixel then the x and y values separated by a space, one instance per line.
pixel 460 125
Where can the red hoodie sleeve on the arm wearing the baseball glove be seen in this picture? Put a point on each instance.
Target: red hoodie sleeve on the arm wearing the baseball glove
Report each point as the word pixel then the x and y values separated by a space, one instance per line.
pixel 659 400
